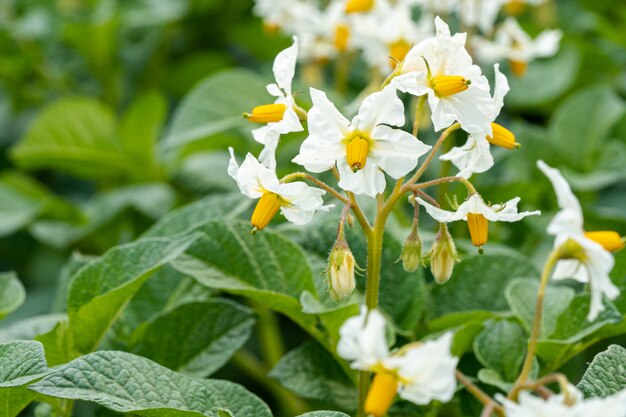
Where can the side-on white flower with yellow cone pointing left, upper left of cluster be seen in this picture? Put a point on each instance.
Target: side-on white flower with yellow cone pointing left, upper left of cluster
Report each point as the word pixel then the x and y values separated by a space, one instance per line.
pixel 282 117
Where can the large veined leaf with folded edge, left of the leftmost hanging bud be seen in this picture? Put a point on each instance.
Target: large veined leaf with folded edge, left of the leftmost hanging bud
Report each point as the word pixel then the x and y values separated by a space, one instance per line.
pixel 265 267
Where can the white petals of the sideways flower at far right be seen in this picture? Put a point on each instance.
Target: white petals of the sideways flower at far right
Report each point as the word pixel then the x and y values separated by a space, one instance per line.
pixel 568 225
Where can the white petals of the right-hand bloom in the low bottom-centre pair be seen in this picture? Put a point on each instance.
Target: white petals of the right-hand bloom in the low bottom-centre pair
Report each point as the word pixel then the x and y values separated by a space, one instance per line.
pixel 426 371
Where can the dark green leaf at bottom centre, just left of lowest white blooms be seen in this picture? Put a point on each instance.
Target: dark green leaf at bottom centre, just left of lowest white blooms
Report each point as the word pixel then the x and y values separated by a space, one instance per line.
pixel 312 372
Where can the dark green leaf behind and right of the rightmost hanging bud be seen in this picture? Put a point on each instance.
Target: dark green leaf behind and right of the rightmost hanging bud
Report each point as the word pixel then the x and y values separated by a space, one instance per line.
pixel 479 283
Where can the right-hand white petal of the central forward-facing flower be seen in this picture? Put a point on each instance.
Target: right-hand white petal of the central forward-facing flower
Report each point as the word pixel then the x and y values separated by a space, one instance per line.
pixel 396 151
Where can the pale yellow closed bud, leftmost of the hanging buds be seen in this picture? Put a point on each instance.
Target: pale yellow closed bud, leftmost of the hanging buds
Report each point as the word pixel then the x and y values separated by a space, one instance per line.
pixel 341 263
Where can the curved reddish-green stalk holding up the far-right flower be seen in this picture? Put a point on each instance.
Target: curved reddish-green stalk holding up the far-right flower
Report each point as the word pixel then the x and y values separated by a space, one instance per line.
pixel 555 255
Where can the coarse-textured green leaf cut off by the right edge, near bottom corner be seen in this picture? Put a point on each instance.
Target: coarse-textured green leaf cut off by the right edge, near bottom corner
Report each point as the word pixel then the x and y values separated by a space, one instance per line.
pixel 606 374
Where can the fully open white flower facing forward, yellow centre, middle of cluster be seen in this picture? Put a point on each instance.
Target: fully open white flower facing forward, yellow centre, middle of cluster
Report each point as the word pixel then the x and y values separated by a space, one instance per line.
pixel 362 147
